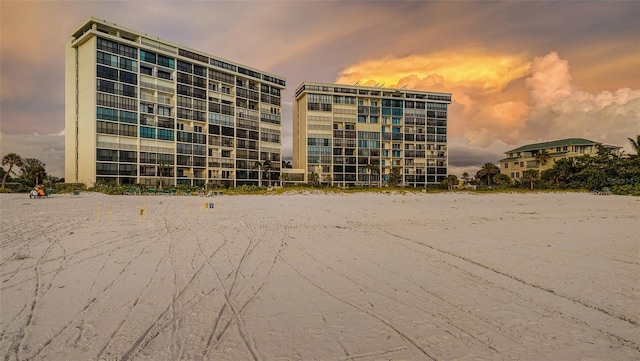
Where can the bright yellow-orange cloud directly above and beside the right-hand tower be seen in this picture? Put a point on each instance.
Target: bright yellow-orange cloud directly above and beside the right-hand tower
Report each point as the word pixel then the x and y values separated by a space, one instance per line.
pixel 482 110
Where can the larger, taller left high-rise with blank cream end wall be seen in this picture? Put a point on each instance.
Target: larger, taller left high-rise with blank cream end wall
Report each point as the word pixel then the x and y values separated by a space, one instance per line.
pixel 140 110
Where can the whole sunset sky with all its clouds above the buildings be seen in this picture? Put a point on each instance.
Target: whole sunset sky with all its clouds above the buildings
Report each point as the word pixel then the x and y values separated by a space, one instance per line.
pixel 519 72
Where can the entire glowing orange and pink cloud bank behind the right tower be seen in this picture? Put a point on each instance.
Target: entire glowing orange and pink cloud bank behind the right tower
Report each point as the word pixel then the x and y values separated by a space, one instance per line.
pixel 509 98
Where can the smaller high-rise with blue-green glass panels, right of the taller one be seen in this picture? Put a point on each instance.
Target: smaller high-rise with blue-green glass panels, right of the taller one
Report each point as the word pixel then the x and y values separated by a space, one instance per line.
pixel 356 135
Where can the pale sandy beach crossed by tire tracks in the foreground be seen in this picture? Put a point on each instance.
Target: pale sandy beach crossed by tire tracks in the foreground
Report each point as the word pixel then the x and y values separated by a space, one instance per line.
pixel 321 277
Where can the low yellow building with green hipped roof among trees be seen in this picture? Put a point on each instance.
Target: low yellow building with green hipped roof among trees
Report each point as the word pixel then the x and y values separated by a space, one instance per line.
pixel 542 156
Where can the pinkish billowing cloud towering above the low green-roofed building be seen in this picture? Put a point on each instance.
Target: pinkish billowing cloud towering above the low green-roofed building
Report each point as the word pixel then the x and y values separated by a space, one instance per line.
pixel 559 109
